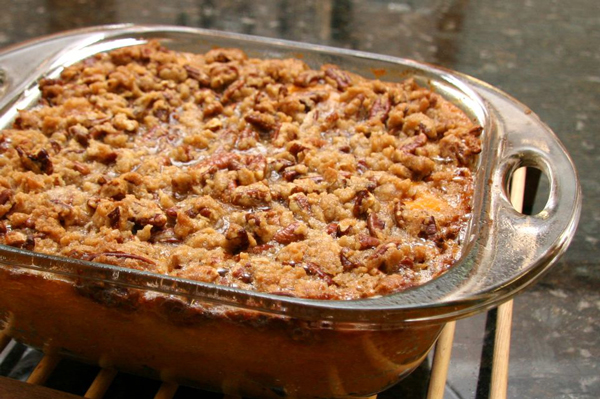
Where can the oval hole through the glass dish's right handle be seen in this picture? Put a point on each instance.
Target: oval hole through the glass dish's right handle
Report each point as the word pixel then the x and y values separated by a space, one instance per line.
pixel 529 190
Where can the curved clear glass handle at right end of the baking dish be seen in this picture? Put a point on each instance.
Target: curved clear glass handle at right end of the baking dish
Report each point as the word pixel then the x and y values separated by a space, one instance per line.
pixel 525 141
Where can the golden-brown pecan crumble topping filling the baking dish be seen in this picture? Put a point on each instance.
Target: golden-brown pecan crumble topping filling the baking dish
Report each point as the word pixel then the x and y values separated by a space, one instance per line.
pixel 259 174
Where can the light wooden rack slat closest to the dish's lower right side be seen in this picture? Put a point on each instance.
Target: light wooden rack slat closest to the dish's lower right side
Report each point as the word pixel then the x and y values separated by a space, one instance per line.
pixel 441 361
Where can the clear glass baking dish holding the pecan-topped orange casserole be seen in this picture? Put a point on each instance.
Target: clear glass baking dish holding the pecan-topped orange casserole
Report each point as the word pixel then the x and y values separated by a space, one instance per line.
pixel 263 345
